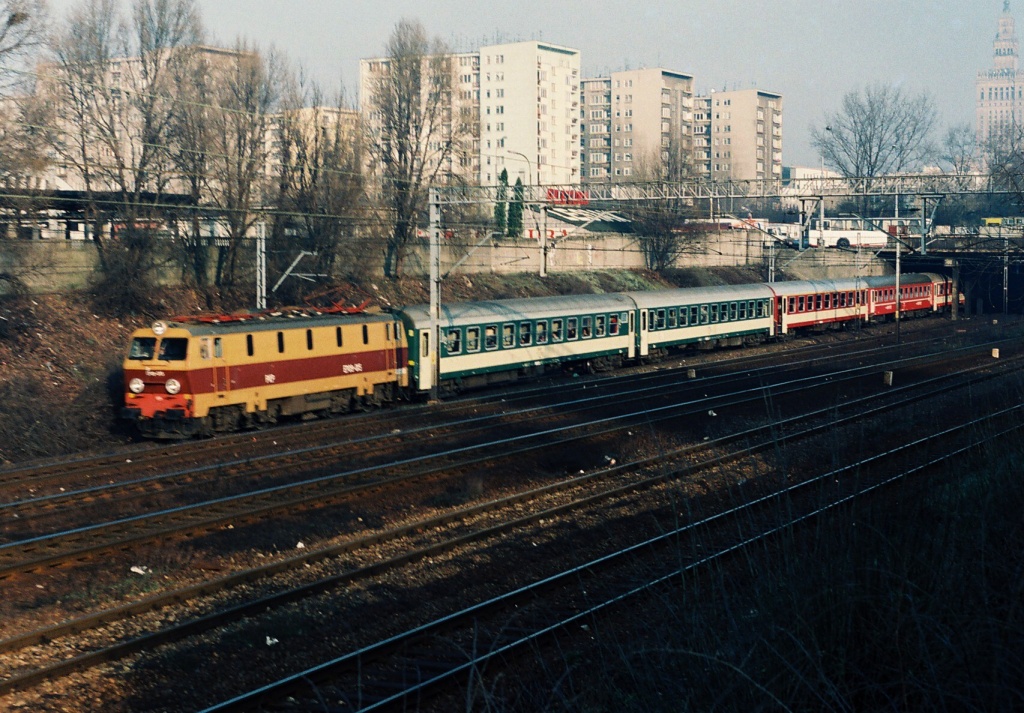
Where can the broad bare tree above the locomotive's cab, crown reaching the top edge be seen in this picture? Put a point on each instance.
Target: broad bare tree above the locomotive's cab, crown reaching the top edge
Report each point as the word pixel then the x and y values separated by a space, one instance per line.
pixel 112 82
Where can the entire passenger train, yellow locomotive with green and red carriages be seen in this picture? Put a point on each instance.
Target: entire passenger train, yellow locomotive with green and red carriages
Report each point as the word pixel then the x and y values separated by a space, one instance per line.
pixel 200 375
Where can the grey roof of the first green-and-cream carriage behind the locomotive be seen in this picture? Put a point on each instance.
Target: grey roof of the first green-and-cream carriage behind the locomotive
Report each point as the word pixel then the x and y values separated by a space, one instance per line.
pixel 461 314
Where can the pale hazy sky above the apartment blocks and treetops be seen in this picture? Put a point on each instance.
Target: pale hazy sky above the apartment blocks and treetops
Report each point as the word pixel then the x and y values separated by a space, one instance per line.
pixel 812 52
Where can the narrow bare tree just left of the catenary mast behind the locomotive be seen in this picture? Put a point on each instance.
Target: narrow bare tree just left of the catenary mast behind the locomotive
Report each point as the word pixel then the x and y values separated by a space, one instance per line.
pixel 245 97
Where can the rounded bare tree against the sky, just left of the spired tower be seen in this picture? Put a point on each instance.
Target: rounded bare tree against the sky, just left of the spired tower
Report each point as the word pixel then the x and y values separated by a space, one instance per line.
pixel 880 130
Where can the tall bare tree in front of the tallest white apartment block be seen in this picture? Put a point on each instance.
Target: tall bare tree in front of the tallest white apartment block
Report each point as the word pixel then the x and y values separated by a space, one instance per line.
pixel 413 134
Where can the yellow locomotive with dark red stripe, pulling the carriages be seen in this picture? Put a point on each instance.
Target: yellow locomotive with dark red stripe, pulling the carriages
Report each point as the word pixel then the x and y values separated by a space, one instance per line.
pixel 197 376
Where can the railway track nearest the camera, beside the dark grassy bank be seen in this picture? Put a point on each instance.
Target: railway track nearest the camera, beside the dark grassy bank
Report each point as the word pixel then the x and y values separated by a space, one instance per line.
pixel 449 651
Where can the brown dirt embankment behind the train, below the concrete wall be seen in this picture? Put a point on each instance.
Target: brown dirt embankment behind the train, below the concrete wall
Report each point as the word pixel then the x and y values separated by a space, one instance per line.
pixel 61 360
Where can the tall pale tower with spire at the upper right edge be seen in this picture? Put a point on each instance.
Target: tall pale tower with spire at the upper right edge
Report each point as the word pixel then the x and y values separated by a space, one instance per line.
pixel 1000 113
